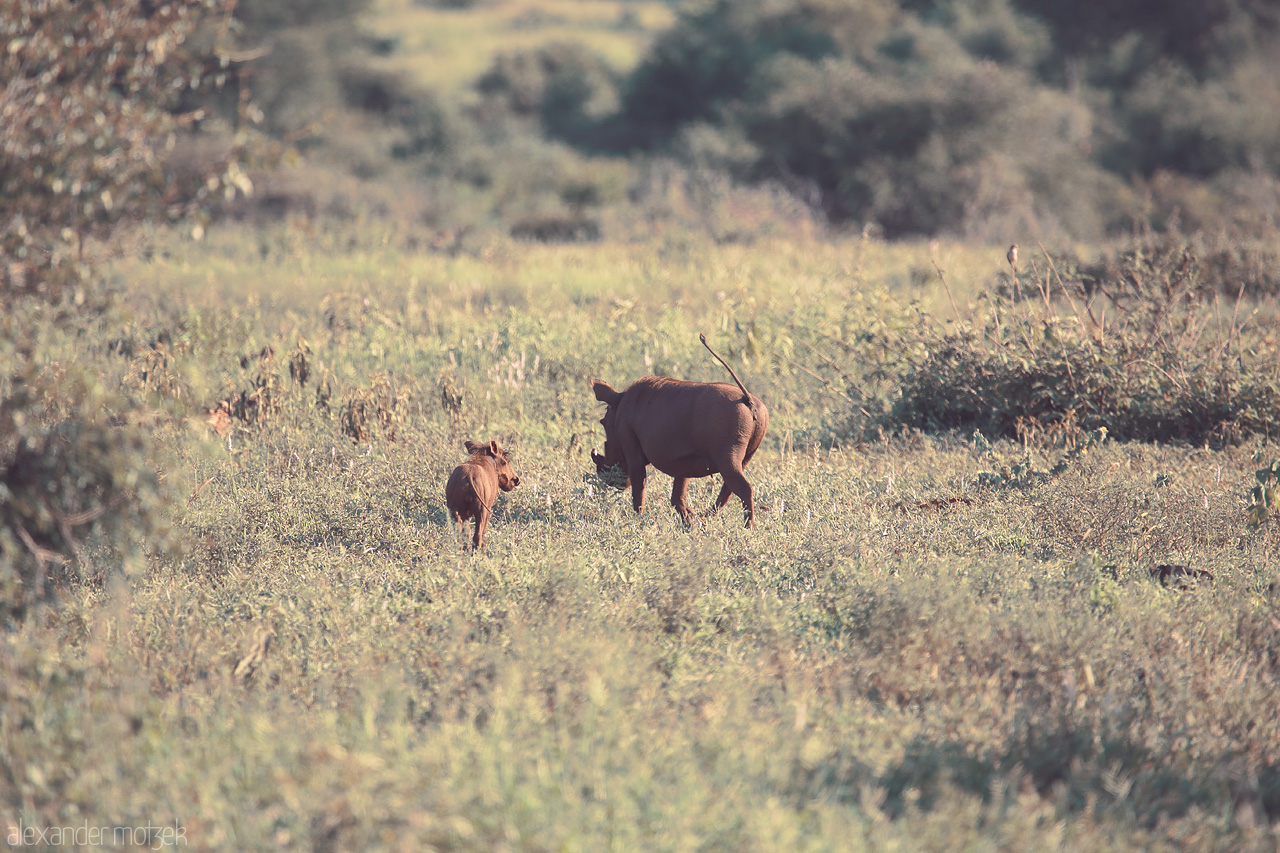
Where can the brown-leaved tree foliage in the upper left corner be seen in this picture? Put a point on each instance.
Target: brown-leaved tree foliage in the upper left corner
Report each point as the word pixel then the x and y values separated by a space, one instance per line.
pixel 89 110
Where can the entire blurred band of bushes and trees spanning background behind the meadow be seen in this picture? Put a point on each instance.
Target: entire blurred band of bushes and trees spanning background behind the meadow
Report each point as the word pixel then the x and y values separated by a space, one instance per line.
pixel 972 118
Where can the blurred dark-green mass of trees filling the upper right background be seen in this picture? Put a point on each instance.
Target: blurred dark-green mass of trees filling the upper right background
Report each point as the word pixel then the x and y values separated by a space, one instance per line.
pixel 979 117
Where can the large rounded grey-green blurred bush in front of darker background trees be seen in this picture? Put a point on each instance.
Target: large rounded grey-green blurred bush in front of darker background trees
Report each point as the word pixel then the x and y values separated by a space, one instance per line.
pixel 973 149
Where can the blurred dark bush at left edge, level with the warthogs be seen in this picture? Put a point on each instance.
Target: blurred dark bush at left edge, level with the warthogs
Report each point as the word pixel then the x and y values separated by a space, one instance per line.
pixel 80 468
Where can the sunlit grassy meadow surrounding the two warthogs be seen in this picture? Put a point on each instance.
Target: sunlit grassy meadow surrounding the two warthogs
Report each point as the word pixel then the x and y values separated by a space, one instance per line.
pixel 897 659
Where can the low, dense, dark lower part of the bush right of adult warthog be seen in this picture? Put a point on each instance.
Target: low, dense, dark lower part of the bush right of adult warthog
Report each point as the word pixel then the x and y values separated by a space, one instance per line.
pixel 1059 382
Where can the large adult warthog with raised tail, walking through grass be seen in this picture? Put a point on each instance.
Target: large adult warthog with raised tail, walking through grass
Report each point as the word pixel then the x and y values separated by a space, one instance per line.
pixel 684 430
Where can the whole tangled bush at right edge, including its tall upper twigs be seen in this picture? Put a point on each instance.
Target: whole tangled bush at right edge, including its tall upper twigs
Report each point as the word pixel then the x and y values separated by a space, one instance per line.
pixel 1140 357
